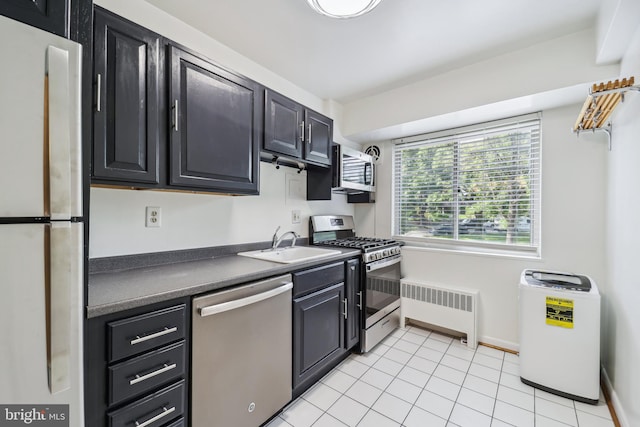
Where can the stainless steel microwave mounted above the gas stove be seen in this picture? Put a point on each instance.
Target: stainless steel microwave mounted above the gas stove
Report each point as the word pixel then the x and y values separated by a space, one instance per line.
pixel 353 171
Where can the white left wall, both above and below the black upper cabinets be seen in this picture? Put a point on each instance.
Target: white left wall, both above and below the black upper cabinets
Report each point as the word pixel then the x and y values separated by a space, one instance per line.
pixel 197 220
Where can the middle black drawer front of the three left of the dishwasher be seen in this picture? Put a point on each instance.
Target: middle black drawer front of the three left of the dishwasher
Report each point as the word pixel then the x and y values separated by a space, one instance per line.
pixel 143 373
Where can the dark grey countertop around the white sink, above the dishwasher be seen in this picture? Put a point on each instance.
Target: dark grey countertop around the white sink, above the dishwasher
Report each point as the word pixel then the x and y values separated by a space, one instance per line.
pixel 113 291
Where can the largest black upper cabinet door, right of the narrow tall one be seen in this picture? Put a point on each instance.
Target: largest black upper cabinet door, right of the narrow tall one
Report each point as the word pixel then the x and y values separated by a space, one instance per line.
pixel 216 126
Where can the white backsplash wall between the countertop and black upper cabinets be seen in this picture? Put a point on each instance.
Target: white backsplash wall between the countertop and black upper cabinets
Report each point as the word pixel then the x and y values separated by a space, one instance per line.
pixel 117 218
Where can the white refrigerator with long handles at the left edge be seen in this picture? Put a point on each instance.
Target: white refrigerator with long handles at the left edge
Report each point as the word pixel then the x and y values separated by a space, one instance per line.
pixel 41 228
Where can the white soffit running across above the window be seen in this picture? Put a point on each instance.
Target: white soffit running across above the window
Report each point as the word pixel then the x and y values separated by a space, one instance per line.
pixel 544 68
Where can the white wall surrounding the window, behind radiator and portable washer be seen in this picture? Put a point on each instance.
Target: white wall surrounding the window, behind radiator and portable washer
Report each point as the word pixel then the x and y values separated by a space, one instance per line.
pixel 573 216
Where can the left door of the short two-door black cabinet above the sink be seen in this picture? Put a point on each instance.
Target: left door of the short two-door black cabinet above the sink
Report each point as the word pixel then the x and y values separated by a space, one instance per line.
pixel 283 132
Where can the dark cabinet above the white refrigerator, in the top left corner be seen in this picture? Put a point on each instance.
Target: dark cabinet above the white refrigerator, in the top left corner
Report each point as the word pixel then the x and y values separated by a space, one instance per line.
pixel 49 15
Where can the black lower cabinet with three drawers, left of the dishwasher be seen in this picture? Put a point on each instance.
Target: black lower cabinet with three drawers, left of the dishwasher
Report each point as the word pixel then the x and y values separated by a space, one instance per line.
pixel 137 367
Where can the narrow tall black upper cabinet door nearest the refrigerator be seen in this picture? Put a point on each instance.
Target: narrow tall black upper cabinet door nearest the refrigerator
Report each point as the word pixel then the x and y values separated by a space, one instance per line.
pixel 126 98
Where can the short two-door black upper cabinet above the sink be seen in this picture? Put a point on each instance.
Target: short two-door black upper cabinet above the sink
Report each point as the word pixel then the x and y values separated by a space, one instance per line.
pixel 294 131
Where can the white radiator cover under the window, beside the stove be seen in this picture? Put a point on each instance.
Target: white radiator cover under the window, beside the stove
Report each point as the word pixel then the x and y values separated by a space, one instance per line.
pixel 444 306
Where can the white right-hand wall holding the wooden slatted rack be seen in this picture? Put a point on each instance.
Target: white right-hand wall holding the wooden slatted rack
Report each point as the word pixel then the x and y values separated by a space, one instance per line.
pixel 621 290
